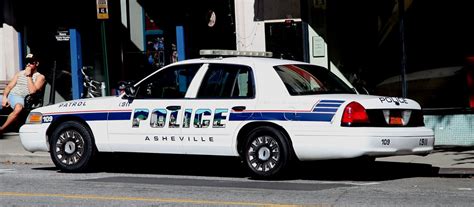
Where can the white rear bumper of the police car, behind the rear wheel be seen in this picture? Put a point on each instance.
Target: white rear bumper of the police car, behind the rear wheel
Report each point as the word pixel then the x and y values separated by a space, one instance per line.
pixel 351 145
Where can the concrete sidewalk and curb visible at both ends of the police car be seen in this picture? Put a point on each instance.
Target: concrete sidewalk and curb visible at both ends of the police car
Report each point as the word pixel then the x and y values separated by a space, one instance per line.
pixel 455 160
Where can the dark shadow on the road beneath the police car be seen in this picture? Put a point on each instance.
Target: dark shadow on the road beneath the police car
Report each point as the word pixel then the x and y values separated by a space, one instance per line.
pixel 335 170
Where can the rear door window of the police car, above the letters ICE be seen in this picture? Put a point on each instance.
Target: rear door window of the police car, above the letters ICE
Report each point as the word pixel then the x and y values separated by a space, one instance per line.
pixel 227 81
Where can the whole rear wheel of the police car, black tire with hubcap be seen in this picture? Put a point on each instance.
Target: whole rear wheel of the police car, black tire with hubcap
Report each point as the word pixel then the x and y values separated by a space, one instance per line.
pixel 267 152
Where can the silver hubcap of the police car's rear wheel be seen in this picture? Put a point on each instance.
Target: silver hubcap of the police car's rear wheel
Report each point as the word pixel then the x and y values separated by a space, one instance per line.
pixel 263 154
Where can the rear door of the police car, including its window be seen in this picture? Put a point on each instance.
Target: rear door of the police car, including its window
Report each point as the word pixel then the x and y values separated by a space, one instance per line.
pixel 224 100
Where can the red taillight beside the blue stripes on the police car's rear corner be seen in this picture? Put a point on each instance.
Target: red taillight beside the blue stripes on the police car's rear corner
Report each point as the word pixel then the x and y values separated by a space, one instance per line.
pixel 354 113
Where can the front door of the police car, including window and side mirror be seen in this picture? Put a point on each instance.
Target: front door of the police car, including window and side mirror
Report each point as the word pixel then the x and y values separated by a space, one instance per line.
pixel 153 125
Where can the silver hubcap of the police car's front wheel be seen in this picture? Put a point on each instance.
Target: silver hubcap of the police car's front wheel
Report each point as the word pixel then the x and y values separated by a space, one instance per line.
pixel 69 147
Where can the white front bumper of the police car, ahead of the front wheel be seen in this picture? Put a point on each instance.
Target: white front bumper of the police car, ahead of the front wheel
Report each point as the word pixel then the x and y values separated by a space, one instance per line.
pixel 33 137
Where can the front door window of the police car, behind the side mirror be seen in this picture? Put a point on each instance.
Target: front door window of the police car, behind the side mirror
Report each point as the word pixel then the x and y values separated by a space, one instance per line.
pixel 172 82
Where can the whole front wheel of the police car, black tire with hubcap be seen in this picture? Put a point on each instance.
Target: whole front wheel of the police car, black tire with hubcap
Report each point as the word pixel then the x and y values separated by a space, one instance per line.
pixel 72 147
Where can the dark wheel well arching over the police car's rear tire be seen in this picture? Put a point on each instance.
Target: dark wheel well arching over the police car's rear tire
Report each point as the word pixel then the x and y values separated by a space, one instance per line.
pixel 241 137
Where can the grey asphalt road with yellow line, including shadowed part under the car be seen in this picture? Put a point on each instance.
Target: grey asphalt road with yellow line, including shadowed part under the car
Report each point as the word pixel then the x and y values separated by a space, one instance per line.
pixel 169 181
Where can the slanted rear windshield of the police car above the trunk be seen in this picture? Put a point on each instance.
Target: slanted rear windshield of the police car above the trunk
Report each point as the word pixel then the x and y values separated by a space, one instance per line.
pixel 310 80
